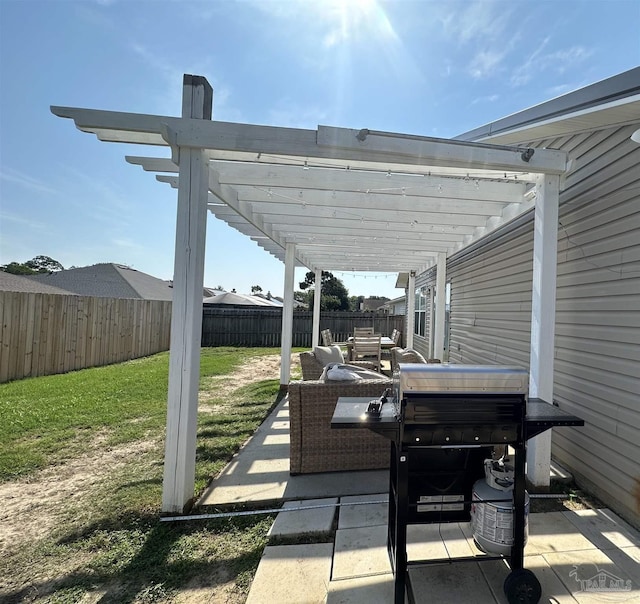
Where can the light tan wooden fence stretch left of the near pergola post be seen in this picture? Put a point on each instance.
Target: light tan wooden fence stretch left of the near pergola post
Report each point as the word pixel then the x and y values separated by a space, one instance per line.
pixel 42 334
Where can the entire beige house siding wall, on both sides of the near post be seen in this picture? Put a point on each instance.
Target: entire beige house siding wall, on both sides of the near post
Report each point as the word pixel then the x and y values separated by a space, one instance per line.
pixel 597 344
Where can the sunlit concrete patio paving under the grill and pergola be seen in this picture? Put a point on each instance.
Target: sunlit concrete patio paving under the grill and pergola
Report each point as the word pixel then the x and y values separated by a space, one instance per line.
pixel 333 549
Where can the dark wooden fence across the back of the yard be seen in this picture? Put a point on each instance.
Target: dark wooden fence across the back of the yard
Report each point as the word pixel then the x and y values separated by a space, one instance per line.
pixel 263 326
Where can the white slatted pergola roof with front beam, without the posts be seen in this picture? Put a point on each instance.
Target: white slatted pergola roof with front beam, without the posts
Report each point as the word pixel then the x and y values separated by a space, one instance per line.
pixel 349 200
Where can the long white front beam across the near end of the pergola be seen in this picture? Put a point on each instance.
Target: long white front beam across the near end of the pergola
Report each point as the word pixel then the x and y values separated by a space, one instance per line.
pixel 327 142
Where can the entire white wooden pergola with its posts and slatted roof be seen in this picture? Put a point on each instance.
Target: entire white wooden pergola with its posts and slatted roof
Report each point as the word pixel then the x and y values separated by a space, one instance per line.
pixel 332 199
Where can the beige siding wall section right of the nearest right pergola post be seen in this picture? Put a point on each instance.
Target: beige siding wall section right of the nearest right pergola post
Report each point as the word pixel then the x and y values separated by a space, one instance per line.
pixel 597 366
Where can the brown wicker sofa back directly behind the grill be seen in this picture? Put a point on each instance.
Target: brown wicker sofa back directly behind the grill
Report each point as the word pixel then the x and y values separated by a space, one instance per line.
pixel 315 446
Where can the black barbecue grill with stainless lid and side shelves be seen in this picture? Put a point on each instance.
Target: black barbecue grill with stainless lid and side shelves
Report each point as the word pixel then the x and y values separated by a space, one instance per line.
pixel 443 421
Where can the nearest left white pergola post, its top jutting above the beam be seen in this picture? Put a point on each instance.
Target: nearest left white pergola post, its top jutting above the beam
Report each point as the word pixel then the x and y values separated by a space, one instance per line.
pixel 186 313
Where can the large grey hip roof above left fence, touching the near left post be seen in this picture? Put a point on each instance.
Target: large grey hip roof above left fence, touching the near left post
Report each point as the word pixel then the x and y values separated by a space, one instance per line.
pixel 108 281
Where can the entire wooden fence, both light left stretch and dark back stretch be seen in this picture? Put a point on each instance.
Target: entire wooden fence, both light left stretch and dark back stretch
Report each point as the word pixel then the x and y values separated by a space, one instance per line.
pixel 41 334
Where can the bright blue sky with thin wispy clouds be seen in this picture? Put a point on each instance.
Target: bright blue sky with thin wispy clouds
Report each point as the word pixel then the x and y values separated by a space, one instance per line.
pixel 435 68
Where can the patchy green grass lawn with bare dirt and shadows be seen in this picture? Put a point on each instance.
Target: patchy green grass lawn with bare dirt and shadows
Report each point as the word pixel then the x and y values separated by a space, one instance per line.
pixel 101 432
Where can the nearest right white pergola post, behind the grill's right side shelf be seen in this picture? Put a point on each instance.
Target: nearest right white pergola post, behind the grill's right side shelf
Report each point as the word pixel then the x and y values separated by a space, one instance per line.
pixel 543 315
